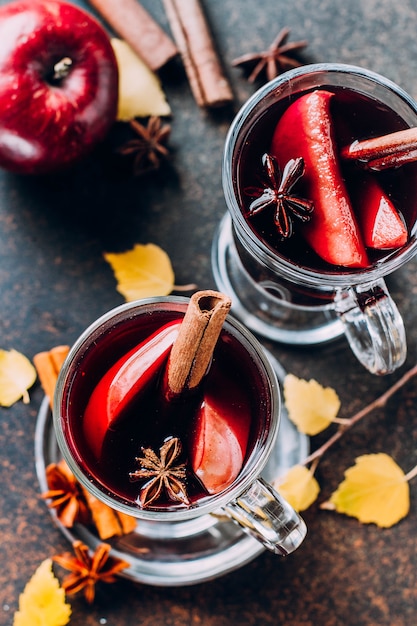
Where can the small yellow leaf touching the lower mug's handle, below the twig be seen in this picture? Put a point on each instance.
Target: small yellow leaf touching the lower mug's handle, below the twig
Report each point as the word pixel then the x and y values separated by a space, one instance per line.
pixel 298 487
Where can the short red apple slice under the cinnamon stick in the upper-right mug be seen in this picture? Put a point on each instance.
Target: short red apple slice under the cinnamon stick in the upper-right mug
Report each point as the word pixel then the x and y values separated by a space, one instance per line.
pixel 382 226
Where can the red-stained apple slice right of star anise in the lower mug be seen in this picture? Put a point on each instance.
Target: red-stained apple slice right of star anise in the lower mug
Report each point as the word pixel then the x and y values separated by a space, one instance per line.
pixel 220 436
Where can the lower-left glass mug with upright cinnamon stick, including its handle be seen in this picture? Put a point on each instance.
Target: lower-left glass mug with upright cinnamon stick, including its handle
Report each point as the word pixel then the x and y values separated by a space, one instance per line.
pixel 249 500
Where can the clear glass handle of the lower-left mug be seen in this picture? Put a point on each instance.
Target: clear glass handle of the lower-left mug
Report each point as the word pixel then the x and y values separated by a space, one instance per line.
pixel 265 515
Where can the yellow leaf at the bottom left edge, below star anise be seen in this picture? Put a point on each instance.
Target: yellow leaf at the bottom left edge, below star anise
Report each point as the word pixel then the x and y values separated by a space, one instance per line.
pixel 42 602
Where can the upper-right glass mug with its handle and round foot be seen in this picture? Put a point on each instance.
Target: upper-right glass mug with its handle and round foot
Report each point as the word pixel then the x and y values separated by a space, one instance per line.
pixel 288 301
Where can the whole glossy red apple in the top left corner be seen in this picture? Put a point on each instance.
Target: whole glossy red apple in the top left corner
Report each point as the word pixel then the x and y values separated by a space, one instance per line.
pixel 46 125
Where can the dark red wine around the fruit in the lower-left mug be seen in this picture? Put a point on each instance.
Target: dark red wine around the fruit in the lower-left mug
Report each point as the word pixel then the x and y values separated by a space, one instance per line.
pixel 149 421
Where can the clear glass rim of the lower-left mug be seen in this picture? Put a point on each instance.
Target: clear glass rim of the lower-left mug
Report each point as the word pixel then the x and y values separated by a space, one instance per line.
pixel 253 465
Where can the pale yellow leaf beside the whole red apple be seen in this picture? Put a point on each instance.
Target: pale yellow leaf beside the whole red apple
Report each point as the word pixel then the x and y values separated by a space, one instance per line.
pixel 140 92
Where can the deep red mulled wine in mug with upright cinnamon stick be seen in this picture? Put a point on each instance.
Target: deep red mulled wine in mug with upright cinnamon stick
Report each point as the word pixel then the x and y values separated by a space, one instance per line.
pixel 236 385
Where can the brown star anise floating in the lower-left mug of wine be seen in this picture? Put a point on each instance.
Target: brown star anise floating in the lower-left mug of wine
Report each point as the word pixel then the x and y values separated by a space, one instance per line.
pixel 165 475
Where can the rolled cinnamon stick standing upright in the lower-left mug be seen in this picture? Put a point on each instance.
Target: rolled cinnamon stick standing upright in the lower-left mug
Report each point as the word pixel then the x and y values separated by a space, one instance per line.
pixel 193 349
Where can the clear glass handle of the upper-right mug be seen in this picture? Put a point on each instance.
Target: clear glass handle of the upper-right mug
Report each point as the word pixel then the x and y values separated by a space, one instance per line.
pixel 373 326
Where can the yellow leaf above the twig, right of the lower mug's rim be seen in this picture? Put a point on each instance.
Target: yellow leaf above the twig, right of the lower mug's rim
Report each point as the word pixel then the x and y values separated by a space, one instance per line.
pixel 310 406
